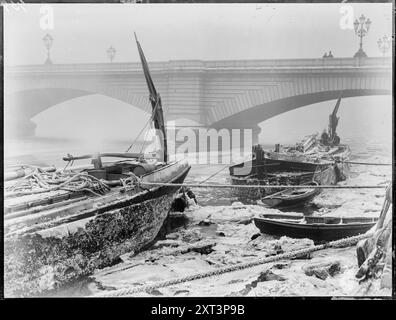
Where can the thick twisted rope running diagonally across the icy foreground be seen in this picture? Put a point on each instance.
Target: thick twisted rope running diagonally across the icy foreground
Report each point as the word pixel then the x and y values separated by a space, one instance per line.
pixel 289 255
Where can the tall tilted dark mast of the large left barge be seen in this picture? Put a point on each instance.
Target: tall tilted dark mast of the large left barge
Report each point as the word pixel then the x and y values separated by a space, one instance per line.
pixel 157 115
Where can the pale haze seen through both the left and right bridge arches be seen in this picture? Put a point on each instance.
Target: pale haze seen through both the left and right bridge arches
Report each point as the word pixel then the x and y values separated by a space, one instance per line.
pixel 360 117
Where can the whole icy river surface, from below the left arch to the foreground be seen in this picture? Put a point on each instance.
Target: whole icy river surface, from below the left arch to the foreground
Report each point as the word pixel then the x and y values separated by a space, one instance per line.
pixel 230 230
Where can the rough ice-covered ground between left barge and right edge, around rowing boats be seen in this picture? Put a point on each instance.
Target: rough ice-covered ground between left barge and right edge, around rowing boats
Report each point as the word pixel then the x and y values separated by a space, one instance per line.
pixel 220 232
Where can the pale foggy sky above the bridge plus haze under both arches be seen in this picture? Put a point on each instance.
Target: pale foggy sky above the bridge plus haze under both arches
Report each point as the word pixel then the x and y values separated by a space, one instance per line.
pixel 82 33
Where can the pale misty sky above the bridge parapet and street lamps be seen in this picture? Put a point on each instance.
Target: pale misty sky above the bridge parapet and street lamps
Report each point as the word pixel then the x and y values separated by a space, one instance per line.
pixel 82 33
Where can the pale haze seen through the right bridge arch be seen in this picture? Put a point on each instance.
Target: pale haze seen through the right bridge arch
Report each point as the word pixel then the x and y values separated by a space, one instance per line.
pixel 361 118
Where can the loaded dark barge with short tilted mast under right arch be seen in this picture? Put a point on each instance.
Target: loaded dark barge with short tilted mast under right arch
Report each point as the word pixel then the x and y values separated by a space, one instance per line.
pixel 322 159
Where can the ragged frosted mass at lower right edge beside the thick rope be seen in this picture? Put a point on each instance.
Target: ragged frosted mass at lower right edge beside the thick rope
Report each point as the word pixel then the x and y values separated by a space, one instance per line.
pixel 375 253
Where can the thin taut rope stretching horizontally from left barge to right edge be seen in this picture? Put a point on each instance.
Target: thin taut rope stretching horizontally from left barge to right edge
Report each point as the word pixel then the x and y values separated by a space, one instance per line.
pixel 259 186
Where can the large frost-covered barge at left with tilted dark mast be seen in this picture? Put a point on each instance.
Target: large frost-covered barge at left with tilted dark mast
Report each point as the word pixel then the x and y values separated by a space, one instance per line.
pixel 61 225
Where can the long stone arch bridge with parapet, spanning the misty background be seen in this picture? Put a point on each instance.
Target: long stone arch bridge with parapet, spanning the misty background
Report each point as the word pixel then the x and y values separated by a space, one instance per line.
pixel 219 94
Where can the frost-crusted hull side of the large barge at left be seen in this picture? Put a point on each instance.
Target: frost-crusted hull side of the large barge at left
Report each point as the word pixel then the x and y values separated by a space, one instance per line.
pixel 45 259
